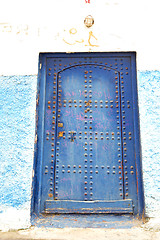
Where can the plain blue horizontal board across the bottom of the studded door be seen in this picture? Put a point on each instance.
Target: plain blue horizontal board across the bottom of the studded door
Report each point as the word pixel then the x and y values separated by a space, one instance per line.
pixel 70 206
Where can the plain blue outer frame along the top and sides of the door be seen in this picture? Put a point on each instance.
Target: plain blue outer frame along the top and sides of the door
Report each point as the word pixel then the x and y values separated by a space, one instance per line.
pixel 39 133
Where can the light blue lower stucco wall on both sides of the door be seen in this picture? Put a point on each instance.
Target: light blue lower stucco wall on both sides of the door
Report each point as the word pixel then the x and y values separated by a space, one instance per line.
pixel 17 122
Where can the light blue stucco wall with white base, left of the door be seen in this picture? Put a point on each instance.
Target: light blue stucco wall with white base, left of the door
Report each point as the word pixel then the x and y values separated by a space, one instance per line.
pixel 17 111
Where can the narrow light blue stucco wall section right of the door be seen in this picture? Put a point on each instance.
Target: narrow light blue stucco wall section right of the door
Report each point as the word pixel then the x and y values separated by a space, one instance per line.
pixel 149 106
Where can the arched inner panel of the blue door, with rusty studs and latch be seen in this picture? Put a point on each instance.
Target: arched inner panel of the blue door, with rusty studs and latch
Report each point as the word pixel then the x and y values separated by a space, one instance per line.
pixel 89 135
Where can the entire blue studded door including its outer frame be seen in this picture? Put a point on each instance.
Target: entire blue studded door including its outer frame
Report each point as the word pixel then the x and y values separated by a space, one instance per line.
pixel 87 150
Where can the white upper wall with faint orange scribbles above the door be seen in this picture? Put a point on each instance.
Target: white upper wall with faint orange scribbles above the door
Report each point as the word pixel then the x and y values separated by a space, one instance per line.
pixel 28 27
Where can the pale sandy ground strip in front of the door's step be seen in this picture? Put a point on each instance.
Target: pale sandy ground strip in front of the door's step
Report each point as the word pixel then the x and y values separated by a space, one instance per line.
pixel 147 231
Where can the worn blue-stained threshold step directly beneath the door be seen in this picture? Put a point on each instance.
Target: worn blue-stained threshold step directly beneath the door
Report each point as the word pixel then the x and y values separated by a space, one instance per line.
pixel 112 221
